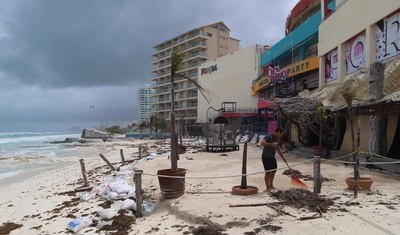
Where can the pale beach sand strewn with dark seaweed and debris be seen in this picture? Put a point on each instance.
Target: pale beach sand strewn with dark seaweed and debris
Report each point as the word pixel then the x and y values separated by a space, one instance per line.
pixel 44 202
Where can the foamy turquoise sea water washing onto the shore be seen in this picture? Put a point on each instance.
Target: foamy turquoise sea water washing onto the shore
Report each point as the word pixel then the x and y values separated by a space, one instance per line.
pixel 21 151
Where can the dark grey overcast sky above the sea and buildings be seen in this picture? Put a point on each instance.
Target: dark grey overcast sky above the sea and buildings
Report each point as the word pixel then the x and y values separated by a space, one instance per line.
pixel 59 57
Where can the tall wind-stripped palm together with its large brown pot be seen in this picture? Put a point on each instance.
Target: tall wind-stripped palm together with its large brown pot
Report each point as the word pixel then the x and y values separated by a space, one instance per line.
pixel 173 187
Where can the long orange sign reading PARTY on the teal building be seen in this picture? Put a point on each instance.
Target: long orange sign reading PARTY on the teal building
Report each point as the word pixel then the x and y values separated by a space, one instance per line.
pixel 274 74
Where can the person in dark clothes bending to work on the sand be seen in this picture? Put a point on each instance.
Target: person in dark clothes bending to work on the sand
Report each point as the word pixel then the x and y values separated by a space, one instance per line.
pixel 270 143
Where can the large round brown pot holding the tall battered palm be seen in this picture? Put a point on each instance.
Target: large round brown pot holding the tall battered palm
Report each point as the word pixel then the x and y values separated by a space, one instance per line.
pixel 172 187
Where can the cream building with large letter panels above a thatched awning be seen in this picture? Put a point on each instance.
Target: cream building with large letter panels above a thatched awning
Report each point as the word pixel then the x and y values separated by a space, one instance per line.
pixel 352 38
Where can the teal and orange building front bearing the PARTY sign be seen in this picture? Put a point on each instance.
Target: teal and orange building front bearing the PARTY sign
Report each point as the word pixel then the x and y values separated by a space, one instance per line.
pixel 291 65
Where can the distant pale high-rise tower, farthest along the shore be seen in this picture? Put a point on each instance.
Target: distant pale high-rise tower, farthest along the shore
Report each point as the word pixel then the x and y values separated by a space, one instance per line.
pixel 144 102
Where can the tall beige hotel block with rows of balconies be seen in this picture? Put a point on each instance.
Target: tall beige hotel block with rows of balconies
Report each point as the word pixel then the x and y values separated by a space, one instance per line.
pixel 200 45
